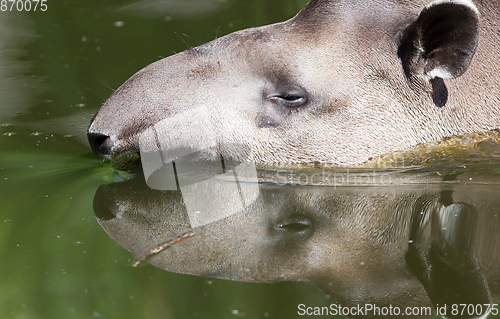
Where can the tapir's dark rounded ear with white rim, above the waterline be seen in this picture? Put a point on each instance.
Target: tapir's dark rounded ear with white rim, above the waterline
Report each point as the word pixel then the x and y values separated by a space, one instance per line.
pixel 442 41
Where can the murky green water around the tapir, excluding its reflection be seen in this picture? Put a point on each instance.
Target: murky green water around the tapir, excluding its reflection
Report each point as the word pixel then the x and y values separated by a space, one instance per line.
pixel 56 68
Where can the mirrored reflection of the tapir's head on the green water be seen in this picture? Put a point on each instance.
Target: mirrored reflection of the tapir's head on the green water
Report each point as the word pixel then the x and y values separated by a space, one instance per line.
pixel 406 247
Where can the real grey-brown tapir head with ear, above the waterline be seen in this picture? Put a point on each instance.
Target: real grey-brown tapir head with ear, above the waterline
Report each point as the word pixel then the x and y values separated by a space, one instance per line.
pixel 340 82
